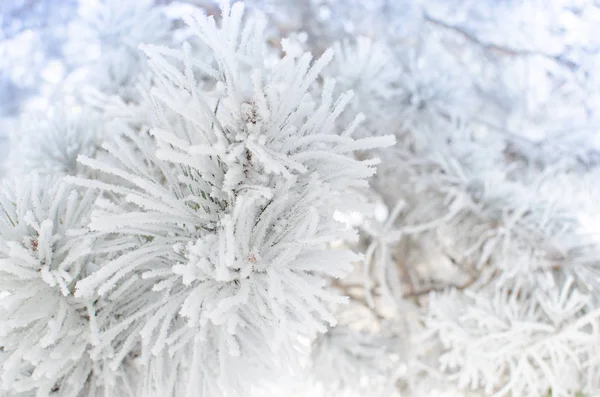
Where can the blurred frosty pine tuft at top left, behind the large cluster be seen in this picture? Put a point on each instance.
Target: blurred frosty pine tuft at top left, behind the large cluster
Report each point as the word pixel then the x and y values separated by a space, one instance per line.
pixel 108 33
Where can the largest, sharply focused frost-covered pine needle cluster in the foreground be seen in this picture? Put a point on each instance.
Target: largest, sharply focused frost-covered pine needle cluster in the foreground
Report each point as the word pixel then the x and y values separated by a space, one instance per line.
pixel 233 199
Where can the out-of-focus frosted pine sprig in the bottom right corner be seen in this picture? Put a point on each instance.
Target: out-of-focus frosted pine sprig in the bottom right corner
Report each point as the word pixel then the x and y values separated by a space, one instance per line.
pixel 520 340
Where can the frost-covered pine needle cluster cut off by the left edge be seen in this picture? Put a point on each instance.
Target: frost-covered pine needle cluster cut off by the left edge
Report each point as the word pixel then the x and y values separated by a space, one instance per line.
pixel 47 334
